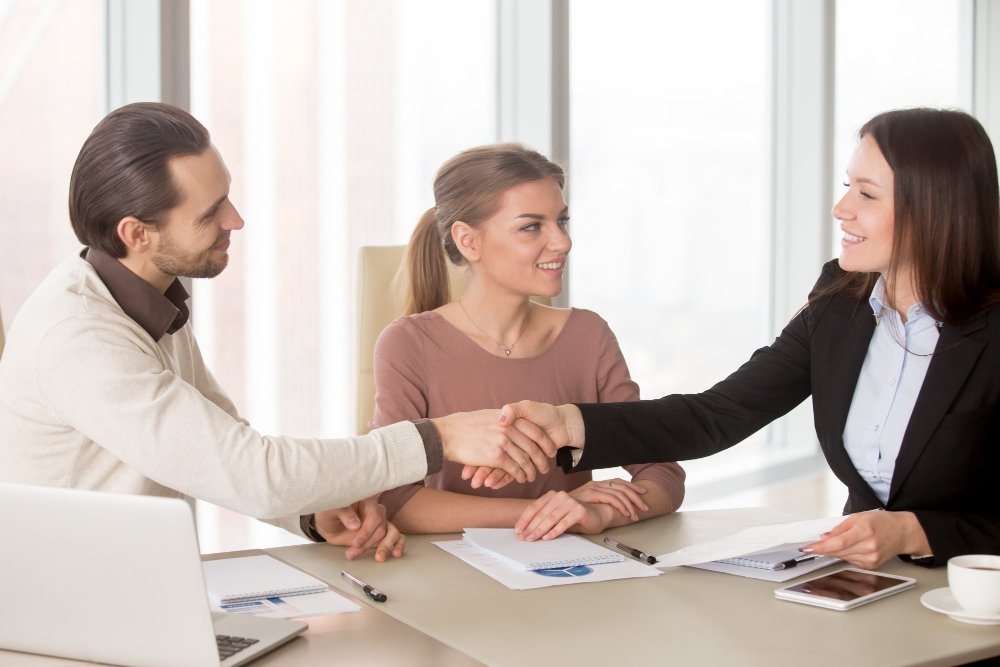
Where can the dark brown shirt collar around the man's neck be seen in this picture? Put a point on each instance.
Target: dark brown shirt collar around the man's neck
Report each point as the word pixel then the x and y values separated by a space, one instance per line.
pixel 157 313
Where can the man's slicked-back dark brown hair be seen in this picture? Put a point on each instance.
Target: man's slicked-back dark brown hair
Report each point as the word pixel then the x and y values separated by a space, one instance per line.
pixel 122 170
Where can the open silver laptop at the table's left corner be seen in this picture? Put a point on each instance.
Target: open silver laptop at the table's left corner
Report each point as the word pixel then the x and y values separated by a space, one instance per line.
pixel 116 579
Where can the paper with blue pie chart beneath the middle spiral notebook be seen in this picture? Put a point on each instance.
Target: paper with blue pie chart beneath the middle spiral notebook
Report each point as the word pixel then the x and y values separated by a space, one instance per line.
pixel 517 579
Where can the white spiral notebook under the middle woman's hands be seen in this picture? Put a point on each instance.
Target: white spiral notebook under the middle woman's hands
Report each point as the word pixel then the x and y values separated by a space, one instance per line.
pixel 563 551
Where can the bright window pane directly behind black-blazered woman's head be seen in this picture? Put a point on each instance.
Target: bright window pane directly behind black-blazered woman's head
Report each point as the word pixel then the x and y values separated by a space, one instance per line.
pixel 894 54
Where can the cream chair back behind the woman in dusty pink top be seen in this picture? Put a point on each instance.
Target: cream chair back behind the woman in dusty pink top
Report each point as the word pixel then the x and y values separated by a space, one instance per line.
pixel 382 285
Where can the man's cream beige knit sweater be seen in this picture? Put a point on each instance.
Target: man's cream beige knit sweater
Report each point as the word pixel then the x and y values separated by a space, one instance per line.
pixel 89 400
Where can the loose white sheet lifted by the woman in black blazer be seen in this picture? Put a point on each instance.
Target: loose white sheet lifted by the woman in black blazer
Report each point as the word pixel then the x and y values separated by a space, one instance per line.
pixel 748 541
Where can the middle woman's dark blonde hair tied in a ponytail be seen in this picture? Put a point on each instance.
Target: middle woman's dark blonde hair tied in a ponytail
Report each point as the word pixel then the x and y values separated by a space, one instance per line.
pixel 468 187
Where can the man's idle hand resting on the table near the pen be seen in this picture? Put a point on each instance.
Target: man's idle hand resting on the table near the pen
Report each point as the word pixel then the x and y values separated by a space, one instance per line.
pixel 360 527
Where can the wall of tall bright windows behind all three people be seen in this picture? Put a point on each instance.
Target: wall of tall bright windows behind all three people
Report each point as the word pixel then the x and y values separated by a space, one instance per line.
pixel 334 115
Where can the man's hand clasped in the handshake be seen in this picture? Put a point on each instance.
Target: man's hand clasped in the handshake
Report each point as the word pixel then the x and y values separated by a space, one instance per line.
pixel 476 439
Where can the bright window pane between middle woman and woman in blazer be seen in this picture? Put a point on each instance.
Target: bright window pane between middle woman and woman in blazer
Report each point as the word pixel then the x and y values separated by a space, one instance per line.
pixel 670 171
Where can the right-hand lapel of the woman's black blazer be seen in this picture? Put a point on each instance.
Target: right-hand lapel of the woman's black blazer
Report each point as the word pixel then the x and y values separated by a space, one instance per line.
pixel 955 355
